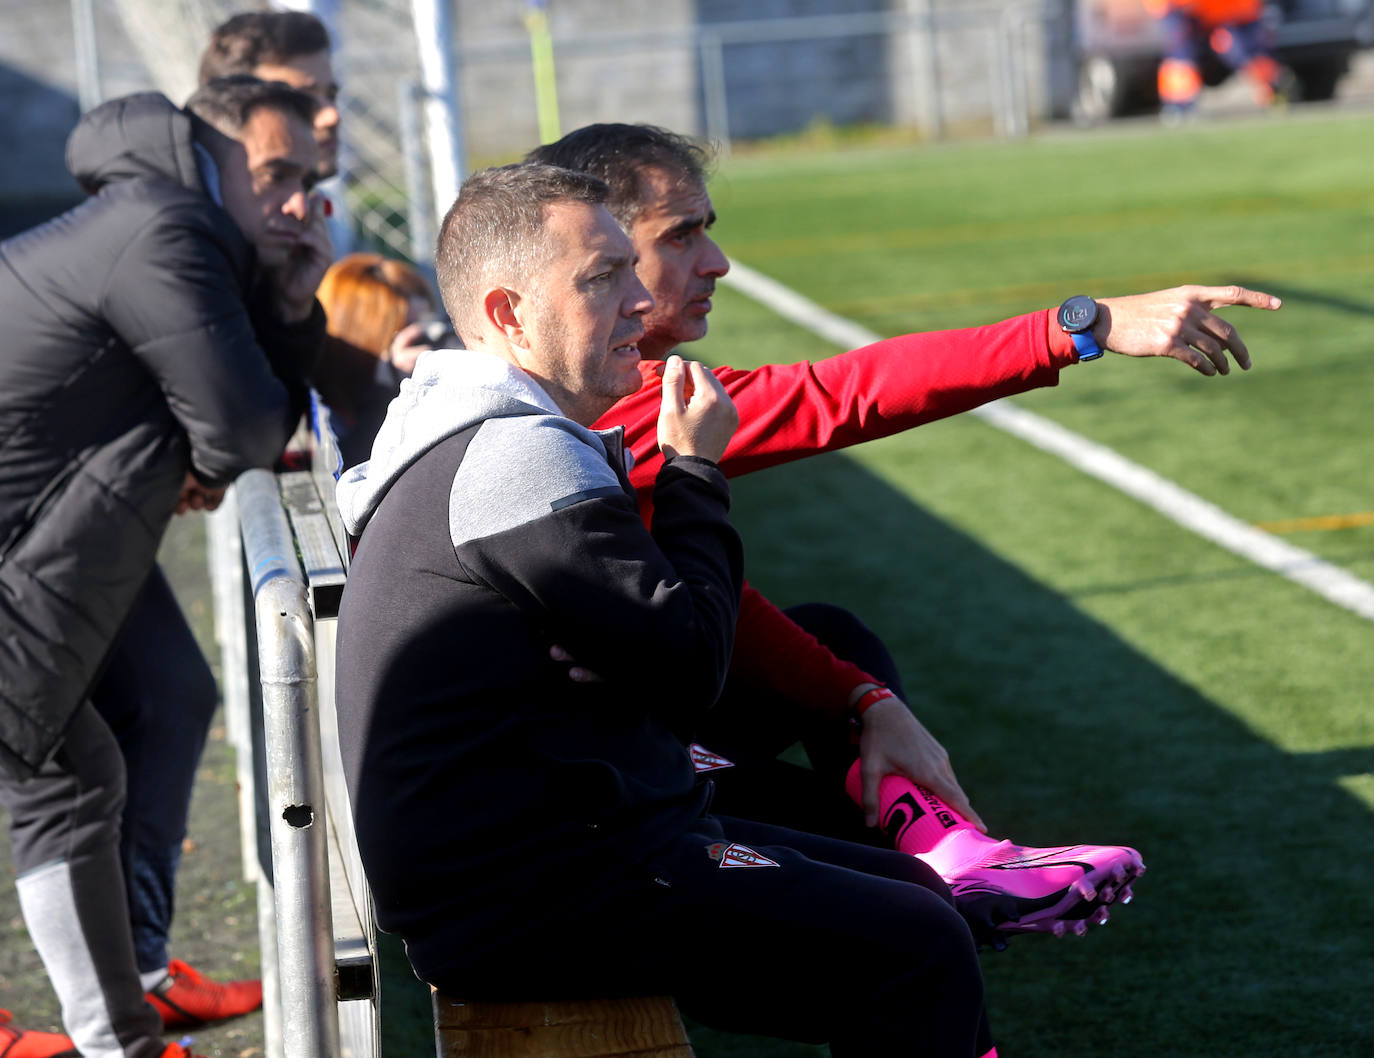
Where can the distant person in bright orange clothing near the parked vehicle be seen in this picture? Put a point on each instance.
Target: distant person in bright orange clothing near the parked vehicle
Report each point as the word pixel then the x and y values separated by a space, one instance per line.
pixel 1235 30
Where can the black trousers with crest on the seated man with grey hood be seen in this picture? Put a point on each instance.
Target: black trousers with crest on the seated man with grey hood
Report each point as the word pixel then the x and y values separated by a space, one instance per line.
pixel 772 932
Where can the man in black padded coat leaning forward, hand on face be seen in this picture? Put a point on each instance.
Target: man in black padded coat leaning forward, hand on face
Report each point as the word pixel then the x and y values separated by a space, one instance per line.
pixel 156 347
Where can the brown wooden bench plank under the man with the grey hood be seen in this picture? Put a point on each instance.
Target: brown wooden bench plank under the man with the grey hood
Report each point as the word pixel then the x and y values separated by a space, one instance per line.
pixel 594 1028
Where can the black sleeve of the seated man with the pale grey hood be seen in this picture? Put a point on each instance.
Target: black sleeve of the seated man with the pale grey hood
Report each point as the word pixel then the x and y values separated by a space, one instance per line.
pixel 655 614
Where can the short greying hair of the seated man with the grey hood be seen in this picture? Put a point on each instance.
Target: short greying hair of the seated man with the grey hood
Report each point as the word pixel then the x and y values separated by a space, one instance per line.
pixel 495 232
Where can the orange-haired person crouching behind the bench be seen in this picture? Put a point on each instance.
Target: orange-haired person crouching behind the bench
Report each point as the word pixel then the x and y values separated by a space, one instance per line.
pixel 380 315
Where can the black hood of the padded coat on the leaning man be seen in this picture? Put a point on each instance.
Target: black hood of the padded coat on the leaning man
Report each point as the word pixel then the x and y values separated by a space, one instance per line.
pixel 135 137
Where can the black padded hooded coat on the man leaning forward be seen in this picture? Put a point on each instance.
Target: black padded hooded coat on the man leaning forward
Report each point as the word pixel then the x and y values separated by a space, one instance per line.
pixel 133 350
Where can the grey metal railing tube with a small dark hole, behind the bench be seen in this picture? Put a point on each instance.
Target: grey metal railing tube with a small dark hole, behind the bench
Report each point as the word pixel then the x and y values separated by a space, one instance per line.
pixel 295 774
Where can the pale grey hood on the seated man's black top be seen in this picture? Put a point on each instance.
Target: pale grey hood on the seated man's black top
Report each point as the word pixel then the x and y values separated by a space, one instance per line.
pixel 451 391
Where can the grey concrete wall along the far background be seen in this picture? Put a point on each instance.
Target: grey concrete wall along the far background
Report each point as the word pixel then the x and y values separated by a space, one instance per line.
pixel 616 61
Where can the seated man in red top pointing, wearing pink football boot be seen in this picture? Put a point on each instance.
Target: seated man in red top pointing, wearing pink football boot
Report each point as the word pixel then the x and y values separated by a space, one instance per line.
pixel 817 673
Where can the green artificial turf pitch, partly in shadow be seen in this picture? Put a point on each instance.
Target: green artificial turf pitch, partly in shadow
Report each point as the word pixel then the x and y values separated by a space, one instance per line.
pixel 1097 673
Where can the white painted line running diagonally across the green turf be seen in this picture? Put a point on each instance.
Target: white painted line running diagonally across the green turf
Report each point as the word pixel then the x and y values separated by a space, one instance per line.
pixel 1181 506
